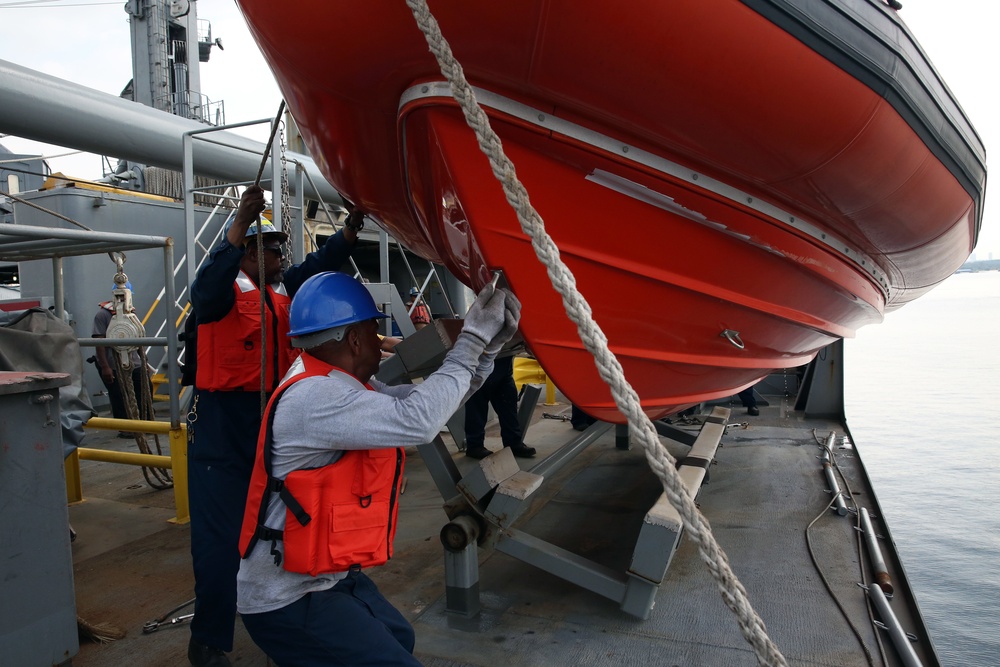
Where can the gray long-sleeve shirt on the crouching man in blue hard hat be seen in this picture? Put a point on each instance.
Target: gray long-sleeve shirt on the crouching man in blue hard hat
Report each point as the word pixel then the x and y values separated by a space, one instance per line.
pixel 317 418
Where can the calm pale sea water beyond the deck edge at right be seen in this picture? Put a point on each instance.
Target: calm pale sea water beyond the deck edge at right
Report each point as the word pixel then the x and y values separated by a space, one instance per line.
pixel 923 404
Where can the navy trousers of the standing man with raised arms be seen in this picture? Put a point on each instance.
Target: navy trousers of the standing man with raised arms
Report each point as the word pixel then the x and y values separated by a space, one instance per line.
pixel 220 462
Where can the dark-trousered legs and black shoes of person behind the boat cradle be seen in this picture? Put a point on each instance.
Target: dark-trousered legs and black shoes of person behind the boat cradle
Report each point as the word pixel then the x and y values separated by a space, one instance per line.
pixel 500 391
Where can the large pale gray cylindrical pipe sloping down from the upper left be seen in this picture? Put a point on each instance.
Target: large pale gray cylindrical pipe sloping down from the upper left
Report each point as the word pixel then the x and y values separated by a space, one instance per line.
pixel 44 108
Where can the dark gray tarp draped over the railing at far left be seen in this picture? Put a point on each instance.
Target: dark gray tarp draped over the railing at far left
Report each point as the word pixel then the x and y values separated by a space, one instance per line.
pixel 36 340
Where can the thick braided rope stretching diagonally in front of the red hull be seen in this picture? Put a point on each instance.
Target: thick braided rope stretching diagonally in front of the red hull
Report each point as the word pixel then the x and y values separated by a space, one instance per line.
pixel 578 310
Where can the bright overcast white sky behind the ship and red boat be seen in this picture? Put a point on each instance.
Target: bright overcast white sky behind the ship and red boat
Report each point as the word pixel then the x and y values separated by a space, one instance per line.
pixel 88 42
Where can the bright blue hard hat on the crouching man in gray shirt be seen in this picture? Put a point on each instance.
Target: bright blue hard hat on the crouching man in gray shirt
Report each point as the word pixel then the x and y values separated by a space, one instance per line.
pixel 329 300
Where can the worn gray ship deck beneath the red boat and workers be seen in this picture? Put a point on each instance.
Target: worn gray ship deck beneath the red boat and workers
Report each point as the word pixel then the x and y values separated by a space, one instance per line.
pixel 764 491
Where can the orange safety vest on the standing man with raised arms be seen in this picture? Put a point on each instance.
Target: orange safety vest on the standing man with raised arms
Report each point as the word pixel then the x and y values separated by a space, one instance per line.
pixel 229 349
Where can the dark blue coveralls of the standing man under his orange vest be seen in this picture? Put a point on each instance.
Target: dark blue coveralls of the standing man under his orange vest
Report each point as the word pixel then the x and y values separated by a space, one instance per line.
pixel 221 456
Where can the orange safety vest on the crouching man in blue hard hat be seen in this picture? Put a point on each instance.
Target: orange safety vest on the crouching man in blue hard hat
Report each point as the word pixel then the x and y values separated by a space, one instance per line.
pixel 337 517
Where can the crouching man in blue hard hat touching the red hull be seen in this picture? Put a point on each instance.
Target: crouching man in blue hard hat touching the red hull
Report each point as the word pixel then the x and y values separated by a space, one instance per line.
pixel 334 437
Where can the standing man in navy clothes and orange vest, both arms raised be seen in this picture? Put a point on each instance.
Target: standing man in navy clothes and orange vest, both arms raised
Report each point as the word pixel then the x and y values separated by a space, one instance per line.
pixel 226 414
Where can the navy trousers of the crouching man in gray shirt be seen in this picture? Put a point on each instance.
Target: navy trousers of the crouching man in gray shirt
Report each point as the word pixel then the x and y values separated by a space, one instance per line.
pixel 349 625
